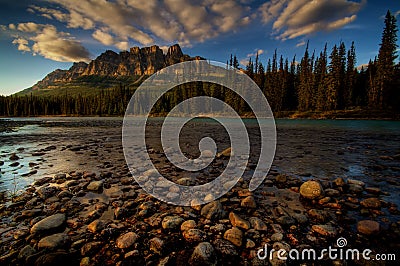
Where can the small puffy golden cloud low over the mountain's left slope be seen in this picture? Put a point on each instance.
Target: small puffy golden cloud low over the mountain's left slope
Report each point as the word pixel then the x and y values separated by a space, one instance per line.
pixel 45 40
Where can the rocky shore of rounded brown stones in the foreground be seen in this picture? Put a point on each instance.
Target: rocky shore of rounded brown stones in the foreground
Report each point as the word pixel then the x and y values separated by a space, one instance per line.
pixel 81 218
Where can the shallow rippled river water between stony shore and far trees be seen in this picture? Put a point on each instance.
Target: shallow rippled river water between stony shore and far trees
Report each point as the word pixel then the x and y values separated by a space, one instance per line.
pixel 366 150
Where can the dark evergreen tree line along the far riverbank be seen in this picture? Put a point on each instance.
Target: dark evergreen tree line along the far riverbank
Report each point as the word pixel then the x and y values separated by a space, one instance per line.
pixel 321 81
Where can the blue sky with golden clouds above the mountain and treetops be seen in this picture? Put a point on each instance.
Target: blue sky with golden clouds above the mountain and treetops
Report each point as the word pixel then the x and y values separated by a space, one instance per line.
pixel 39 36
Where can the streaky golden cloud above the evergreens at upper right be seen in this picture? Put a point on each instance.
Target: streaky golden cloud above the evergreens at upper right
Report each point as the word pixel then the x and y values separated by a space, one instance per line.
pixel 295 18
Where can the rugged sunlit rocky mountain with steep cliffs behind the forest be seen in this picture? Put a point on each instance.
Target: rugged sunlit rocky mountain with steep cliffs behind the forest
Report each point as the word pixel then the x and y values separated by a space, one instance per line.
pixel 109 69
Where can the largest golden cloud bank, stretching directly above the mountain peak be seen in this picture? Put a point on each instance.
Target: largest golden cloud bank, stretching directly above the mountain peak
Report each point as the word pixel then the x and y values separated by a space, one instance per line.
pixel 150 21
